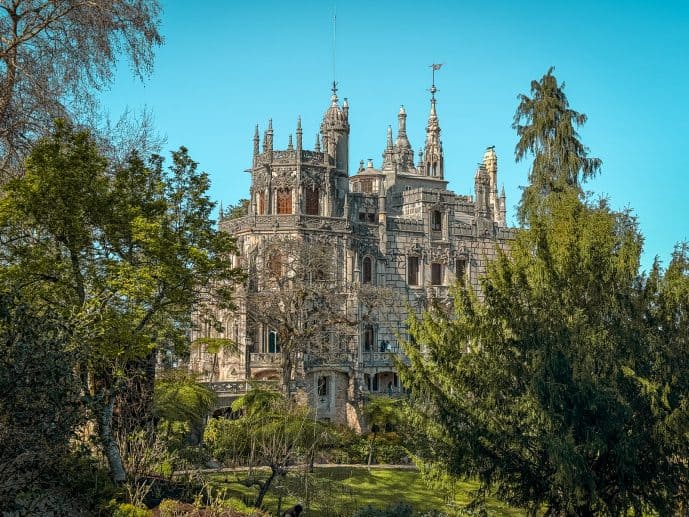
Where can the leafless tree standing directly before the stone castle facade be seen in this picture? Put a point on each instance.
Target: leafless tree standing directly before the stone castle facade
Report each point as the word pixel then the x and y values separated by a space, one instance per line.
pixel 294 291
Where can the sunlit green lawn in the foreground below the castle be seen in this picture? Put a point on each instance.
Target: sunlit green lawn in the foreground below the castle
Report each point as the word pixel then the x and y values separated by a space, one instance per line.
pixel 339 491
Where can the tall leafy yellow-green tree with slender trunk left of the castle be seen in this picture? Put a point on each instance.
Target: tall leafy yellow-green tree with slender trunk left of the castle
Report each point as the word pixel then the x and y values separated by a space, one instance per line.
pixel 122 256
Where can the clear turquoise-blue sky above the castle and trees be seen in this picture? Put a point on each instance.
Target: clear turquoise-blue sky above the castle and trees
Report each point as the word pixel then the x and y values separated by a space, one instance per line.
pixel 227 66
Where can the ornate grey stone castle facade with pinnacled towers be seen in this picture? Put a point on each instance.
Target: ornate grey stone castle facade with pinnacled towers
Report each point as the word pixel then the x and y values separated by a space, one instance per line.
pixel 397 227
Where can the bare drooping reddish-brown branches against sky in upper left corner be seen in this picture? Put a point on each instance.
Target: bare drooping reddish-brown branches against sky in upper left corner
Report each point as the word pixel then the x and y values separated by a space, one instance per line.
pixel 55 53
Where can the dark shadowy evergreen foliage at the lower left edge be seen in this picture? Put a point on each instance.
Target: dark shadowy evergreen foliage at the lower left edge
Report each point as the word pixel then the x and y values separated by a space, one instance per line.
pixel 39 411
